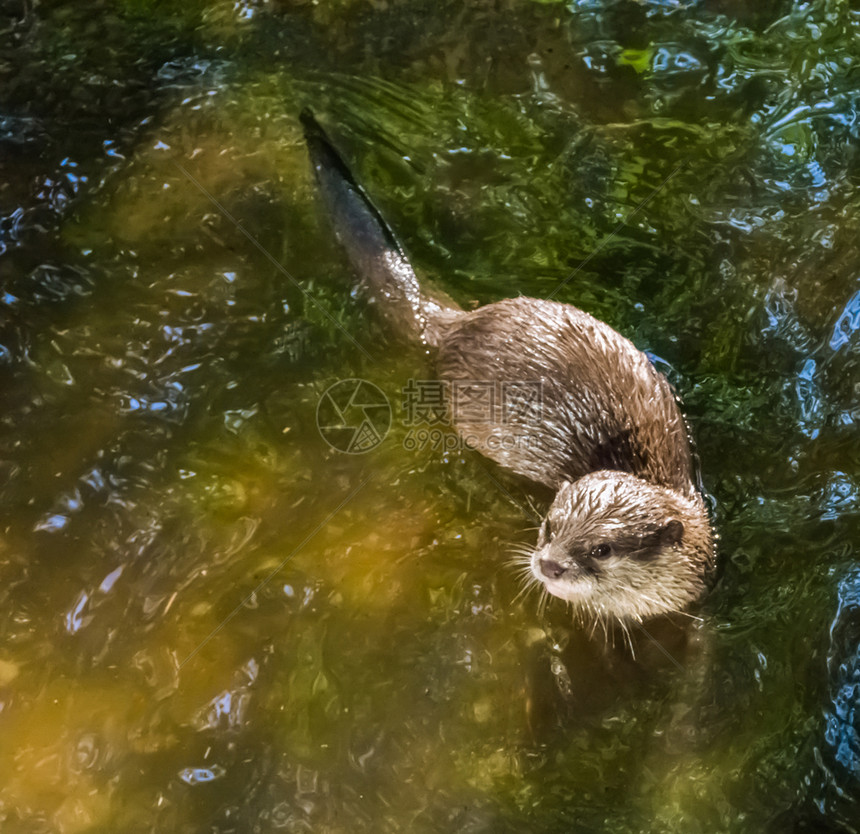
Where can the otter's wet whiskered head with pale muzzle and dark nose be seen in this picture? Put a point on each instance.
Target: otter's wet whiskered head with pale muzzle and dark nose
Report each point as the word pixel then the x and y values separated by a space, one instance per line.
pixel 618 547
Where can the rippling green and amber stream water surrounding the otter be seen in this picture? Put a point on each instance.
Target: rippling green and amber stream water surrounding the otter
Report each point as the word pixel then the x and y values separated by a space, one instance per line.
pixel 211 619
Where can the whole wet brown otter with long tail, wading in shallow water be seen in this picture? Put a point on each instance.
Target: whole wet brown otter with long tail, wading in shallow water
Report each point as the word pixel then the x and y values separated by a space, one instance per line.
pixel 627 536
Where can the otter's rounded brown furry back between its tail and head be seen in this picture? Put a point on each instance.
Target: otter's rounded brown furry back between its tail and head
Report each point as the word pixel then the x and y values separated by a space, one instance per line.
pixel 602 404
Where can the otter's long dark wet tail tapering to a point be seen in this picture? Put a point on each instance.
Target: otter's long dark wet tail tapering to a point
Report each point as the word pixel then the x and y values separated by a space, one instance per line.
pixel 383 267
